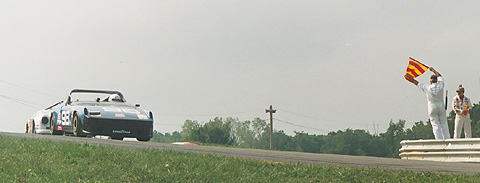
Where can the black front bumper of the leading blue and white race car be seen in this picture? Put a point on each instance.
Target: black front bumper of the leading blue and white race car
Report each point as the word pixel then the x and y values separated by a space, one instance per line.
pixel 118 127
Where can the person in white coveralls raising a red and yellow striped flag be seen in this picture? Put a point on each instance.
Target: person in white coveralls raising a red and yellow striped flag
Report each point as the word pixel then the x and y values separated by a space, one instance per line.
pixel 436 106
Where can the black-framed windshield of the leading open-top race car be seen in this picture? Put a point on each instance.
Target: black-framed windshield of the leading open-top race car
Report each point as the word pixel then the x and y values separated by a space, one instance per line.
pixel 95 97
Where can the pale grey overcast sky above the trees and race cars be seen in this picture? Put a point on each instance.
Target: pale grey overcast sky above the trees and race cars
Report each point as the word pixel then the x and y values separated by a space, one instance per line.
pixel 324 65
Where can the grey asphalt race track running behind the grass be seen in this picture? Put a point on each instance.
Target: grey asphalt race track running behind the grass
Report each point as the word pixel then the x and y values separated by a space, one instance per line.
pixel 278 156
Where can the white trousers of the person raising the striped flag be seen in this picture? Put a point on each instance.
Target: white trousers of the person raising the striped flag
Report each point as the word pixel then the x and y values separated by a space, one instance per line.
pixel 438 118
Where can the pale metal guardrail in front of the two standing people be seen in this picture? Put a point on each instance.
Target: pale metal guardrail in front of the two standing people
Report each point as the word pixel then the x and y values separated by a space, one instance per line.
pixel 449 150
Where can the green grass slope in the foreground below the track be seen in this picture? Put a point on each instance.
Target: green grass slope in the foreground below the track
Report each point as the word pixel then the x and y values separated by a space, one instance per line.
pixel 33 160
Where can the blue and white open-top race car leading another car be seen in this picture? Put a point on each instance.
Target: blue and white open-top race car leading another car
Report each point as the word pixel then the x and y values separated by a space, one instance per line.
pixel 100 112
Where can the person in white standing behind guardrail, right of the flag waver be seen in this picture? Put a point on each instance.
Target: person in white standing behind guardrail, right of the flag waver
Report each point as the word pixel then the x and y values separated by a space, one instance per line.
pixel 461 106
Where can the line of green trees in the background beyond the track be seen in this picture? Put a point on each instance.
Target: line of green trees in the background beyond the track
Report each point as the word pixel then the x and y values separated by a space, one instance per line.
pixel 256 134
